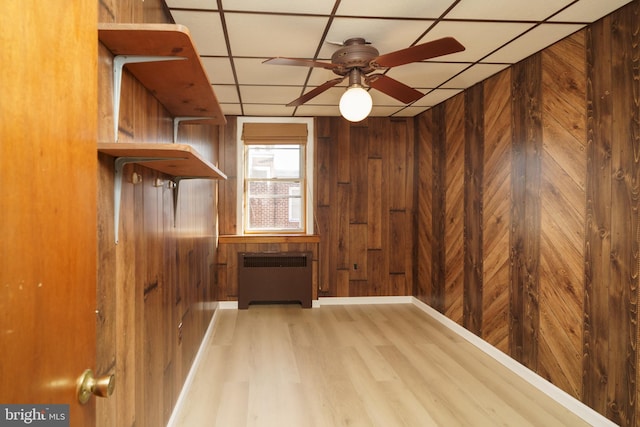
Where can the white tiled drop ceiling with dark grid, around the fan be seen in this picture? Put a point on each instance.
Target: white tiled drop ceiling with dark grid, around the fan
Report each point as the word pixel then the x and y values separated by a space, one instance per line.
pixel 235 37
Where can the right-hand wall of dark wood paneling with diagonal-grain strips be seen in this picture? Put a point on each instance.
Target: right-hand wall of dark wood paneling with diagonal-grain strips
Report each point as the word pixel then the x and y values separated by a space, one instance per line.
pixel 528 184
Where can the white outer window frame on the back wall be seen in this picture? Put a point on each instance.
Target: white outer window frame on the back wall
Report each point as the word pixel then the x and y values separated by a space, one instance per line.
pixel 309 153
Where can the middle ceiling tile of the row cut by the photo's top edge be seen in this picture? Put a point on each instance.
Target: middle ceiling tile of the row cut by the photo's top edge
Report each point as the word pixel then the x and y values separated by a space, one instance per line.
pixel 398 8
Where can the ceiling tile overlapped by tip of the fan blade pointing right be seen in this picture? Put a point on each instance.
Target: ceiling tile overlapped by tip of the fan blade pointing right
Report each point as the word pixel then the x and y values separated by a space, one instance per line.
pixel 478 38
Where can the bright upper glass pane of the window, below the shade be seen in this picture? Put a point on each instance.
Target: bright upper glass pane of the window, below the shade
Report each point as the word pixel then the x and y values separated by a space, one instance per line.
pixel 273 161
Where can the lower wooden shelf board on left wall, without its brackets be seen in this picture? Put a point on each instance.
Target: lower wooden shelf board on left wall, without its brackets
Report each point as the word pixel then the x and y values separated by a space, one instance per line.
pixel 178 160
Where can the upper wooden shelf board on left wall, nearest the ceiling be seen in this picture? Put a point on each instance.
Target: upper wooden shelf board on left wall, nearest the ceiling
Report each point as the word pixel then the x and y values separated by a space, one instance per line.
pixel 182 86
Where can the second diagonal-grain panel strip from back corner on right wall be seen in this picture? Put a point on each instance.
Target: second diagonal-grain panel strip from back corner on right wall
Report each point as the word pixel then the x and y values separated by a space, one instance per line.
pixel 454 209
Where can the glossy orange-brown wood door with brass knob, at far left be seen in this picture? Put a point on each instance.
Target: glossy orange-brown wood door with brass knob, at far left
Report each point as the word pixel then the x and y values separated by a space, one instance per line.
pixel 48 122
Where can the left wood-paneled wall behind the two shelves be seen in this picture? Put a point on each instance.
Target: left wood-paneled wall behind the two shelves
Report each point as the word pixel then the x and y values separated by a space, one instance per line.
pixel 156 286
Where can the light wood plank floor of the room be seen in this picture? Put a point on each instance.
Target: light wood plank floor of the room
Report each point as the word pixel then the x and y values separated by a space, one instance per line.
pixel 357 365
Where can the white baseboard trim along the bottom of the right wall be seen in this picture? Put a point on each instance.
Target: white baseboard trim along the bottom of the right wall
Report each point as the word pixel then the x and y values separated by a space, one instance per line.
pixel 565 399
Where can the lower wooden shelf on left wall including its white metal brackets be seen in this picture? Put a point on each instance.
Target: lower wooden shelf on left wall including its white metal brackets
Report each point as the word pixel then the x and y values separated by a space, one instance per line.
pixel 178 160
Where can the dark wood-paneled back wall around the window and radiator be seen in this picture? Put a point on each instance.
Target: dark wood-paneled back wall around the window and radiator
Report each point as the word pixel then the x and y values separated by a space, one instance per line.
pixel 364 190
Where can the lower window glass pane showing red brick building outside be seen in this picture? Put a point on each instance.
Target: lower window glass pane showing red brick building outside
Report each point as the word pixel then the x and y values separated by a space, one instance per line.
pixel 274 205
